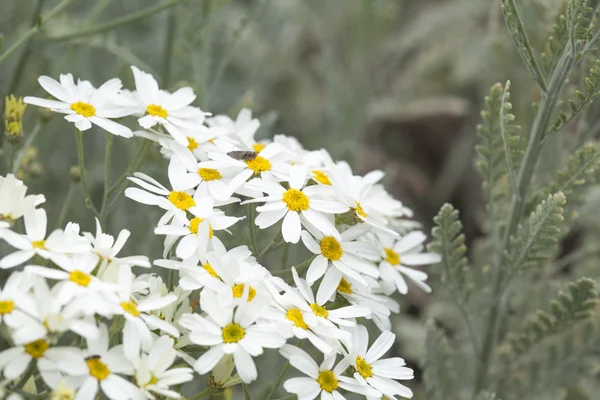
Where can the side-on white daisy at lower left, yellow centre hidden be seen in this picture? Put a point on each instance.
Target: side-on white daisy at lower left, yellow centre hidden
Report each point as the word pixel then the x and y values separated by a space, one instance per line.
pixel 50 317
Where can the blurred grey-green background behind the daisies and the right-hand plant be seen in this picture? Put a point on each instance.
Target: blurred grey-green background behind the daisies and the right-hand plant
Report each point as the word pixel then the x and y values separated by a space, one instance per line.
pixel 385 84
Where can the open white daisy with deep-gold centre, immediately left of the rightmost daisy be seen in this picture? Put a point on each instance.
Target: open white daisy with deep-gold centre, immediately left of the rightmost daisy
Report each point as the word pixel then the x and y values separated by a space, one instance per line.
pixel 337 256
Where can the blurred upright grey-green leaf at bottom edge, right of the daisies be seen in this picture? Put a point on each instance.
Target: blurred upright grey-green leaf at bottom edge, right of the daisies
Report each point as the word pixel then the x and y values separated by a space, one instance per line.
pixel 439 372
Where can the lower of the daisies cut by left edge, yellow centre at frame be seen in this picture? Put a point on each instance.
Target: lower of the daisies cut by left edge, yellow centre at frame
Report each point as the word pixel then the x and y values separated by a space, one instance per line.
pixel 15 301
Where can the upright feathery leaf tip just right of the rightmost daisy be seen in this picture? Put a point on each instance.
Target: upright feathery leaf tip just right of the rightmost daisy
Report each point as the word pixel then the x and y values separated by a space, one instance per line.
pixel 449 242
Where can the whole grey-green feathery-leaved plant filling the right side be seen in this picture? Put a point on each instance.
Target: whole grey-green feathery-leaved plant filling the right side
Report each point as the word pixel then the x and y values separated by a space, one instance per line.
pixel 528 325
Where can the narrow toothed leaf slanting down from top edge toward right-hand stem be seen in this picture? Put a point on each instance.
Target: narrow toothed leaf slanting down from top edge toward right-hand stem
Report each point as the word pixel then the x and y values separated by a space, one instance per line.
pixel 519 36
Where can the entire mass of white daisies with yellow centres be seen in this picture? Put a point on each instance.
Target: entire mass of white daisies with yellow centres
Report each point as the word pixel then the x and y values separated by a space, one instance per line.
pixel 81 317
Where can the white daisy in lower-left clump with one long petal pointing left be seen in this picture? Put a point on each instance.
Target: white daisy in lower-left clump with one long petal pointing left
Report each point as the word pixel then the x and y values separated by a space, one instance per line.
pixel 77 281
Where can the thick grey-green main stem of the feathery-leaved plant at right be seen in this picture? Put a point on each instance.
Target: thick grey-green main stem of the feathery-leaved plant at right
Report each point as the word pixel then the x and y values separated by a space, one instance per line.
pixel 540 126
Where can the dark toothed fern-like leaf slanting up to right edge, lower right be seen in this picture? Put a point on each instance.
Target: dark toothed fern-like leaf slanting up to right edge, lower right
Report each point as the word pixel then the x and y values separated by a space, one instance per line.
pixel 573 305
